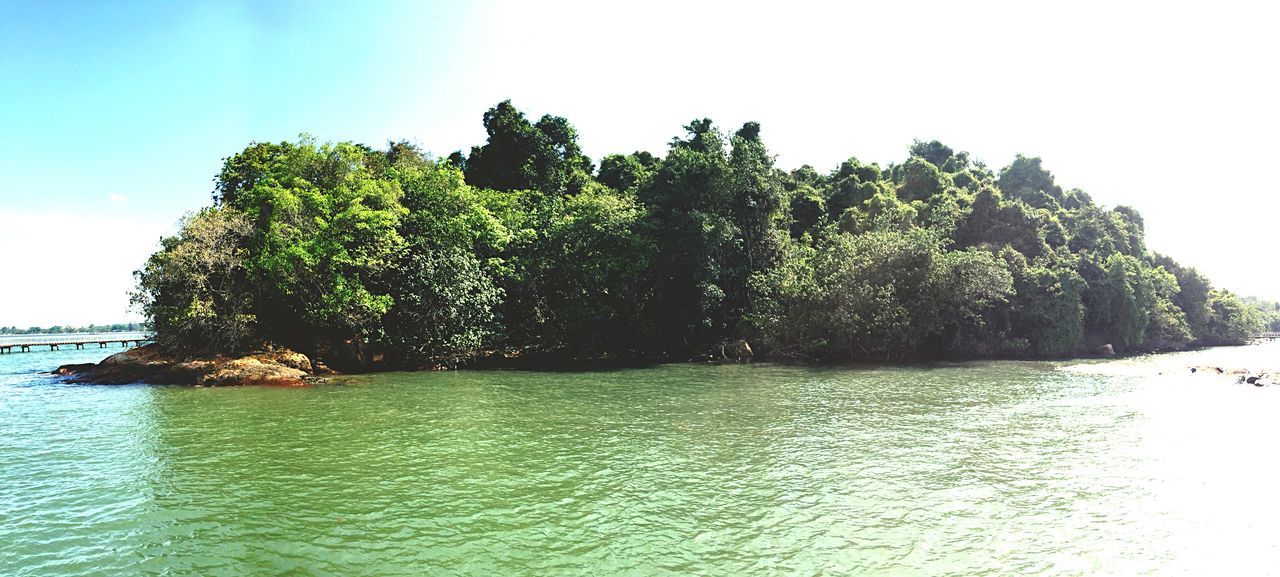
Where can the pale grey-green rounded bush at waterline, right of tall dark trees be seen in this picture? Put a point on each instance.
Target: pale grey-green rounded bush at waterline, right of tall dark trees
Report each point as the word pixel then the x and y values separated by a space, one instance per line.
pixel 892 295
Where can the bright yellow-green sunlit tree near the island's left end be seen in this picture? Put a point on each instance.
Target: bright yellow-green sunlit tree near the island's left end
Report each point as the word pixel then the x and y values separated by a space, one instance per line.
pixel 326 228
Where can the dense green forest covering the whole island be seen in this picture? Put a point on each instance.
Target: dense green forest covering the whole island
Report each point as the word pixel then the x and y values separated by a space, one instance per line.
pixel 525 245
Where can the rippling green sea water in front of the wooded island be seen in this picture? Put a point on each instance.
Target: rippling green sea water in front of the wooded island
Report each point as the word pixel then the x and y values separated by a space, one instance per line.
pixel 975 469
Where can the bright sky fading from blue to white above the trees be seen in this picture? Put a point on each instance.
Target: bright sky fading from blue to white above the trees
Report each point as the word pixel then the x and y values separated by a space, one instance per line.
pixel 115 117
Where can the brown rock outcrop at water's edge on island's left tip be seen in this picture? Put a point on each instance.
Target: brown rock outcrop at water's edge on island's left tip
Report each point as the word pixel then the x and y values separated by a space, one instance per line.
pixel 148 365
